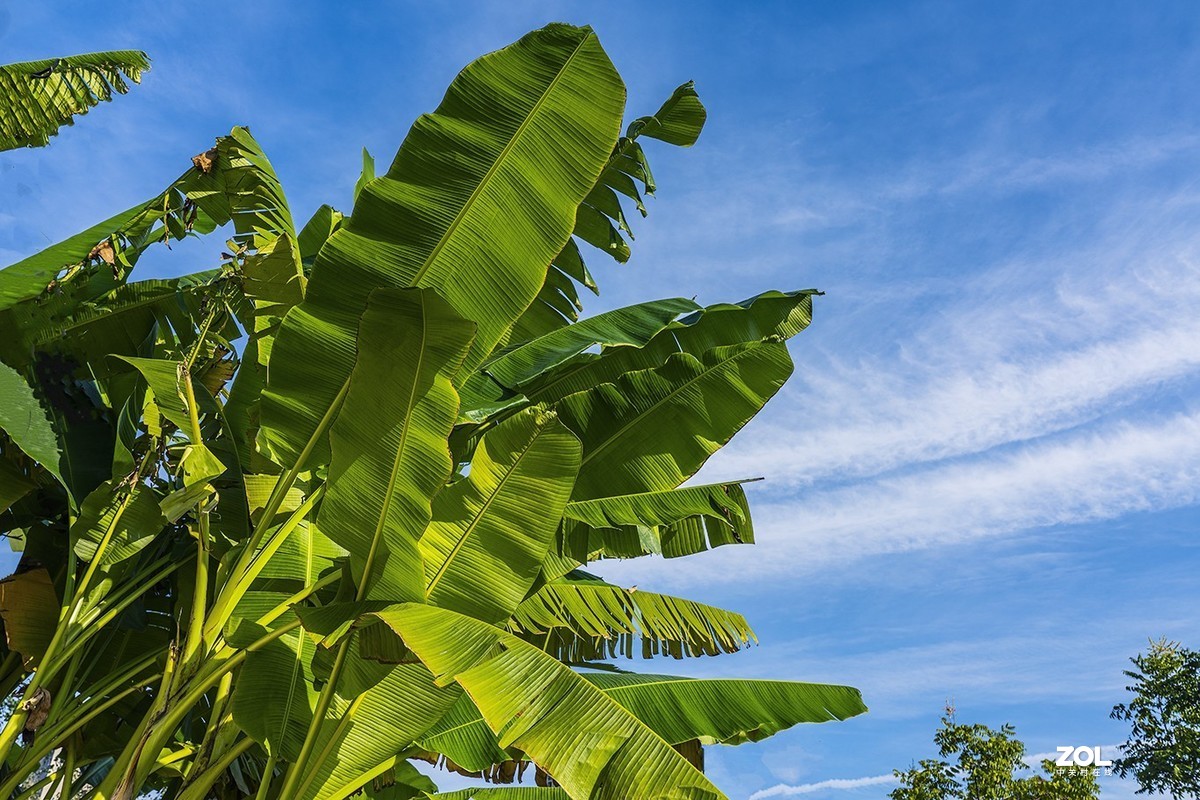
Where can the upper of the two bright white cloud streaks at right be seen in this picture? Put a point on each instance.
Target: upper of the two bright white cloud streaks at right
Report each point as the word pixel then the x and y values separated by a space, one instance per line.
pixel 895 424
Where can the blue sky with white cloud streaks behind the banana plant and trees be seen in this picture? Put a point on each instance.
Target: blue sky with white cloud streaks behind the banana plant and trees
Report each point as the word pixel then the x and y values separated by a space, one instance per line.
pixel 985 477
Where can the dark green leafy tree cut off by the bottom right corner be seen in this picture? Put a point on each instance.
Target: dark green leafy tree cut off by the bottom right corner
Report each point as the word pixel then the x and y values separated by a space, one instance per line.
pixel 1163 750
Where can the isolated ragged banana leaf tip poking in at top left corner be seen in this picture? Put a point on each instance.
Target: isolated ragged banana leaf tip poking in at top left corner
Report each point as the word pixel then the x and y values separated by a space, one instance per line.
pixel 39 98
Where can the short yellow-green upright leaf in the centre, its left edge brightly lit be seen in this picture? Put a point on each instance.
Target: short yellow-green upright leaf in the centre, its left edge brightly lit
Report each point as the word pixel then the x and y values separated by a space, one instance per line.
pixel 491 530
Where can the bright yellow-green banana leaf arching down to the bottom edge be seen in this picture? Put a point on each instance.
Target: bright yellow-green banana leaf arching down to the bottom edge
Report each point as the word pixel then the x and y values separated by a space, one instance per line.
pixel 589 743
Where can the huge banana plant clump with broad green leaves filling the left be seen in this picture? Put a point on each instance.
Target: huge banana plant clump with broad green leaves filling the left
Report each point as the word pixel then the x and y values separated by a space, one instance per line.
pixel 291 567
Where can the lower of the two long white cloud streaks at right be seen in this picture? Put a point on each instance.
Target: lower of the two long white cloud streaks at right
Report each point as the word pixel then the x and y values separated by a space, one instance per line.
pixel 1081 478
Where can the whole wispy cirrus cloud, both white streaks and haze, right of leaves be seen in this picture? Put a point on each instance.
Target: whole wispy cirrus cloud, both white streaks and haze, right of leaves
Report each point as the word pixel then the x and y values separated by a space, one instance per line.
pixel 1064 402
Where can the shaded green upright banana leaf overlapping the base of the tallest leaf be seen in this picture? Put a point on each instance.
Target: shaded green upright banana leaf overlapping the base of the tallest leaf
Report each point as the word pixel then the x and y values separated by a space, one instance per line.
pixel 389 442
